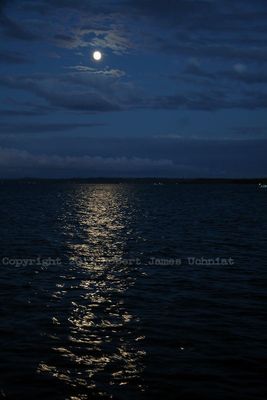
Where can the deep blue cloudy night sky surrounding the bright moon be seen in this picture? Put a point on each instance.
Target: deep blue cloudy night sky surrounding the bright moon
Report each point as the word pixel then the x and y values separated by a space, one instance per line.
pixel 181 89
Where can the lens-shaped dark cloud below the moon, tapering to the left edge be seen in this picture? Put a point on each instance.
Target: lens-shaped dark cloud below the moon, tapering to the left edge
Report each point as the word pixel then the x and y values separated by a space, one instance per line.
pixel 78 91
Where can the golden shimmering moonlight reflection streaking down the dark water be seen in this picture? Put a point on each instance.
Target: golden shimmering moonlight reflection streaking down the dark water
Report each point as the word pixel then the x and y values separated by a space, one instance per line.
pixel 99 346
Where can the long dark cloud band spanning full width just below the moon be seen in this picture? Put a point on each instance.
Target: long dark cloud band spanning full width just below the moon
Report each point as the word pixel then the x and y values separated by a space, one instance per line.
pixel 106 94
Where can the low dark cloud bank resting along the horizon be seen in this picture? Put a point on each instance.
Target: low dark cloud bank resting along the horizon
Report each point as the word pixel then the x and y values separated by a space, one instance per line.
pixel 141 157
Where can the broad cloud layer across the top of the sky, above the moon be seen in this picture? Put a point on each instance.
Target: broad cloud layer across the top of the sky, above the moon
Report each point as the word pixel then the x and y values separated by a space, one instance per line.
pixel 188 28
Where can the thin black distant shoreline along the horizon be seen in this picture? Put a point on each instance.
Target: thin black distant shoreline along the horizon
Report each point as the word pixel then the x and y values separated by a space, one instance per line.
pixel 163 181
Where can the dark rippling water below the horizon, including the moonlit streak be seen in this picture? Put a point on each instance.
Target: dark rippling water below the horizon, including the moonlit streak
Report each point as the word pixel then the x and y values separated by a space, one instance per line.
pixel 99 311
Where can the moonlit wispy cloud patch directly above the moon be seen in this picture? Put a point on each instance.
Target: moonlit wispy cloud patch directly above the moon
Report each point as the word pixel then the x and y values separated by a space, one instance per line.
pixel 100 24
